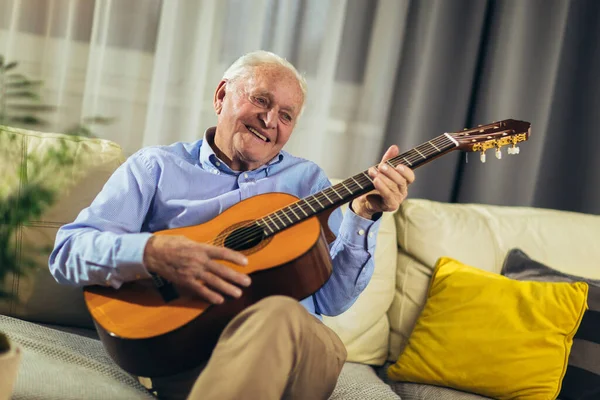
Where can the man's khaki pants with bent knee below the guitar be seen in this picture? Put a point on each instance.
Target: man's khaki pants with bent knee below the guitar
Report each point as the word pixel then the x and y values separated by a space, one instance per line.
pixel 272 350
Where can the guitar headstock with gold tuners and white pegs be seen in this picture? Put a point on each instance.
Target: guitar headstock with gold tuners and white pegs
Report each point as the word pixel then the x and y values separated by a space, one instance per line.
pixel 507 132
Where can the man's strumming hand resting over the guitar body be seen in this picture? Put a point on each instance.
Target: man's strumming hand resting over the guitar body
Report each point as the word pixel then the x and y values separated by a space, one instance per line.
pixel 185 262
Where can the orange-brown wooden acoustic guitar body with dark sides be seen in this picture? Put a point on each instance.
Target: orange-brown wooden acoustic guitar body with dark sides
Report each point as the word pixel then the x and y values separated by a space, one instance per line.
pixel 149 336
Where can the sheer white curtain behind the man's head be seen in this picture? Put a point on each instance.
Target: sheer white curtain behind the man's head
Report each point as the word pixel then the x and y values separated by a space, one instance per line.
pixel 153 66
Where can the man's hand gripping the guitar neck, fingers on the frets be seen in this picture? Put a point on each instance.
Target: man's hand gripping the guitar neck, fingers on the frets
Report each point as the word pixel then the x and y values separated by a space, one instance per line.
pixel 391 187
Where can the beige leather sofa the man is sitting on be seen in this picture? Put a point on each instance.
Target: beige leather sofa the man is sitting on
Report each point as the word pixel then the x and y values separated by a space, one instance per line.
pixel 62 357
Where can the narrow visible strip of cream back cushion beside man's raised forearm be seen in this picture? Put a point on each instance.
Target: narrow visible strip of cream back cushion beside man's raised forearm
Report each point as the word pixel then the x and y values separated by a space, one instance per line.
pixel 364 327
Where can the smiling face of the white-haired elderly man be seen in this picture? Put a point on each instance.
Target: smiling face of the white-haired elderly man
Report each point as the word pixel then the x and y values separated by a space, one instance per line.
pixel 256 115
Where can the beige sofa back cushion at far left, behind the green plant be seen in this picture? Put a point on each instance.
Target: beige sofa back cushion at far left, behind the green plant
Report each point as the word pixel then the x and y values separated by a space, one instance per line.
pixel 38 297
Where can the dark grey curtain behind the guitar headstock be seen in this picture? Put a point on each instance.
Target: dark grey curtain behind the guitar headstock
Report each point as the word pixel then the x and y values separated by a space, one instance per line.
pixel 470 62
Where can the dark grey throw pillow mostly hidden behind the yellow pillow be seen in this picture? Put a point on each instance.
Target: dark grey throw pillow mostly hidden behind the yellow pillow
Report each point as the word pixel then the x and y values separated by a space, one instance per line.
pixel 582 379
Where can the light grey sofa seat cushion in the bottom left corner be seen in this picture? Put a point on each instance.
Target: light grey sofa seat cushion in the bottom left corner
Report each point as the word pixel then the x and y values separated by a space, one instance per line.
pixel 66 366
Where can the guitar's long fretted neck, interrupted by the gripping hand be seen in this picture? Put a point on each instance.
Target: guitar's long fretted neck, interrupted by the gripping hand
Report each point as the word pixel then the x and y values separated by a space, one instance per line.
pixel 355 186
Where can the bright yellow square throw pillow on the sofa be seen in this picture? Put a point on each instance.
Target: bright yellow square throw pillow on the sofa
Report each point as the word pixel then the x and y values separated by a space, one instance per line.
pixel 484 333
